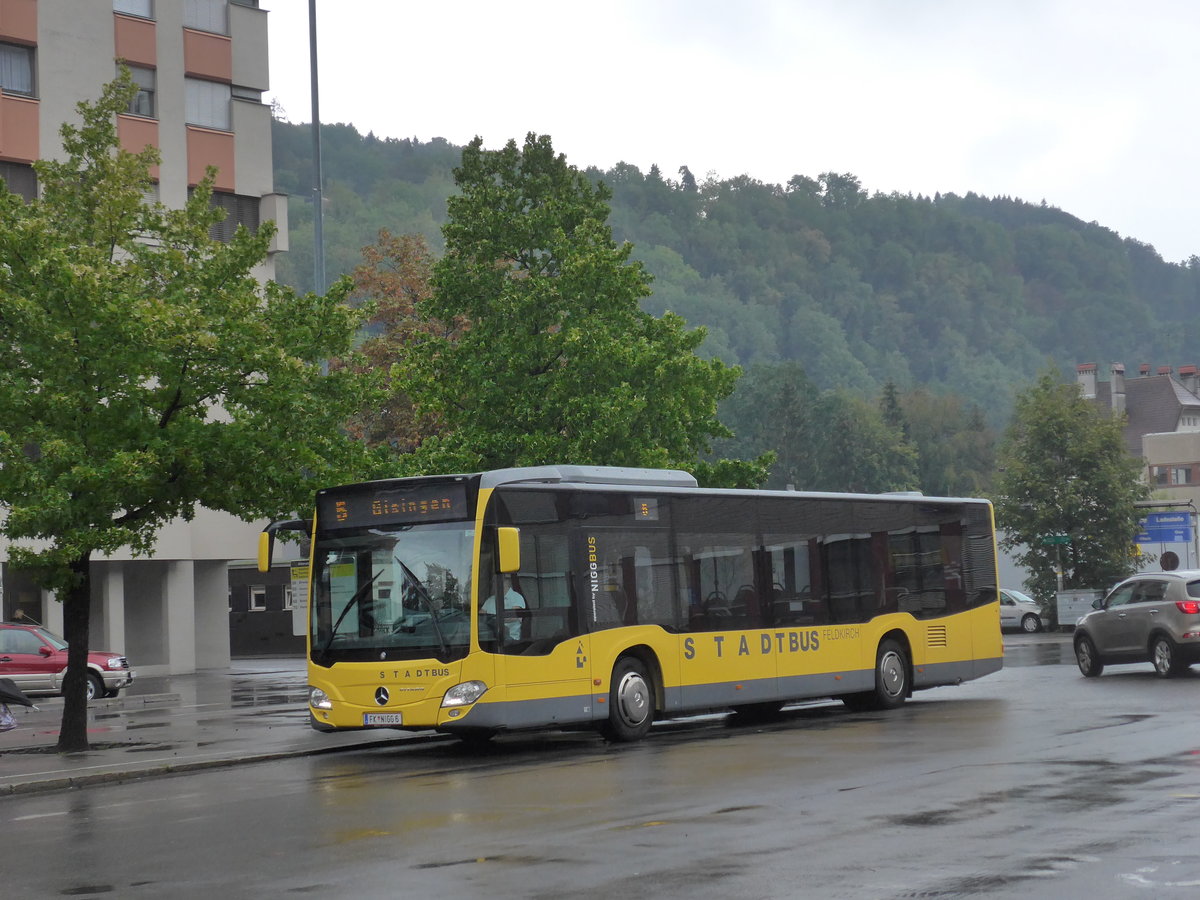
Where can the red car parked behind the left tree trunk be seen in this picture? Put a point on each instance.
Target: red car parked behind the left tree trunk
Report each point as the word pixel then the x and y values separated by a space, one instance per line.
pixel 37 662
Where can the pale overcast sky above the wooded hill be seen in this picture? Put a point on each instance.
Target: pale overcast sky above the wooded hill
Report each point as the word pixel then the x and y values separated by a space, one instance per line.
pixel 1088 105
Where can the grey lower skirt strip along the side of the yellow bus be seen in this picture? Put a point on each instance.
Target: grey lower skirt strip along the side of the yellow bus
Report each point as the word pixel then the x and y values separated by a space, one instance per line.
pixel 584 711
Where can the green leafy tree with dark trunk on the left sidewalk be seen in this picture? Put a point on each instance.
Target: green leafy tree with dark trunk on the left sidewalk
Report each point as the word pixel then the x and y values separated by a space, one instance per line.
pixel 147 371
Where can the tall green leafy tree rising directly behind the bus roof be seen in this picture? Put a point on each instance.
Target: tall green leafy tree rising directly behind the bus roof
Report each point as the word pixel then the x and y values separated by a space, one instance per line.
pixel 559 362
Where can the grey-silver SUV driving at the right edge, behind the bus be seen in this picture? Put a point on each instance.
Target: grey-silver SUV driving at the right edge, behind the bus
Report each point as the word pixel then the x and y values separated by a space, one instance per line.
pixel 1148 619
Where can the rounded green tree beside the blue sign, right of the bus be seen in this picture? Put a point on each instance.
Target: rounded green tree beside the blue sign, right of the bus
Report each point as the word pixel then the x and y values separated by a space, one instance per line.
pixel 1065 476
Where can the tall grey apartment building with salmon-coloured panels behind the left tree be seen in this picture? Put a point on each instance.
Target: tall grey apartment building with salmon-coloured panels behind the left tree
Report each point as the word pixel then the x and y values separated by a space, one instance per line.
pixel 202 70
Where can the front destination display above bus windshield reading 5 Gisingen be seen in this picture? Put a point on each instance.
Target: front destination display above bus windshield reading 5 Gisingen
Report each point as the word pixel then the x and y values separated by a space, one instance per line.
pixel 395 506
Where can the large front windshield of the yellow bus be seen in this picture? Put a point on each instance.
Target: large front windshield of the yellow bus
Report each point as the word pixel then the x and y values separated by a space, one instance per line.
pixel 392 593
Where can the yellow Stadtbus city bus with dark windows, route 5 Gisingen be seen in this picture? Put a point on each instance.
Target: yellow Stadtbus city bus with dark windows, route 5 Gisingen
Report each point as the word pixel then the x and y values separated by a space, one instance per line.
pixel 605 598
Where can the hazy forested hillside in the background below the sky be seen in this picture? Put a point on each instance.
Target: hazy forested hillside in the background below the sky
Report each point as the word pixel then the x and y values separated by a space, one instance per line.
pixel 956 296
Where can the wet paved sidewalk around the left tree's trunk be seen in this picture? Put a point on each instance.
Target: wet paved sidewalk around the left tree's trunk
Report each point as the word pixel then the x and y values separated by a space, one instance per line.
pixel 251 712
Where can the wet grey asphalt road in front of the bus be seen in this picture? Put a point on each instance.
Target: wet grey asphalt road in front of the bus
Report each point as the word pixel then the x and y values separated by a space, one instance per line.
pixel 1030 783
